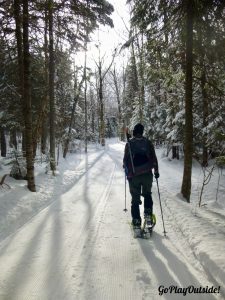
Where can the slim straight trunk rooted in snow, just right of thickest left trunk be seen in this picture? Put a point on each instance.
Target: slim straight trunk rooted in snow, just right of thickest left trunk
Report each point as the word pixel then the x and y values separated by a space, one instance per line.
pixel 51 88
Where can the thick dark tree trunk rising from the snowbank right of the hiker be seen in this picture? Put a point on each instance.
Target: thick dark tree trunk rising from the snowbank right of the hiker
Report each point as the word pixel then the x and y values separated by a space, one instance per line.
pixel 188 131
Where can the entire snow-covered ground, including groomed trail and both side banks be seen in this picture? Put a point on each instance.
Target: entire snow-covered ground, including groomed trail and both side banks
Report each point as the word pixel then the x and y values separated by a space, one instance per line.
pixel 72 240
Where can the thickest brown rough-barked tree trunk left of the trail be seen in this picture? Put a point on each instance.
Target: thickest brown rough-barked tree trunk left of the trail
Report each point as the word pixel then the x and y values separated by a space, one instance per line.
pixel 27 100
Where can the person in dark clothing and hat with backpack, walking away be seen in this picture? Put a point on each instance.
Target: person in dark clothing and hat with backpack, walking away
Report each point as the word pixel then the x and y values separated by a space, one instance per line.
pixel 139 161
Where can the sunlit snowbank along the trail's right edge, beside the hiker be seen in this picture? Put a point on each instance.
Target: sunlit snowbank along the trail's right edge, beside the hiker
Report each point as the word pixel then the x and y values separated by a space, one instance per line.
pixel 202 227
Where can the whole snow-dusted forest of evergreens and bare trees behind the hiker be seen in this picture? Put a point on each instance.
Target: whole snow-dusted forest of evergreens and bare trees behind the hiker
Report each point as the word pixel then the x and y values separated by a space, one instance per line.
pixel 172 80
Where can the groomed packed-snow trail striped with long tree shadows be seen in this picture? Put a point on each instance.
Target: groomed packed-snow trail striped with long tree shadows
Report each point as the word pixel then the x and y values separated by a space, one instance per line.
pixel 81 246
